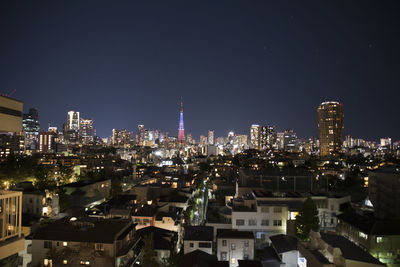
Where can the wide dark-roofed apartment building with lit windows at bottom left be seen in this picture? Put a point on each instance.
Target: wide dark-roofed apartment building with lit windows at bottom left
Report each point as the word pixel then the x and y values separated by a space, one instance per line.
pixel 87 242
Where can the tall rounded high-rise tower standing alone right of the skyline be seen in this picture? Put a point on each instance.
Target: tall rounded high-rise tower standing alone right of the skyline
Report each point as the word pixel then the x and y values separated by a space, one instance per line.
pixel 330 125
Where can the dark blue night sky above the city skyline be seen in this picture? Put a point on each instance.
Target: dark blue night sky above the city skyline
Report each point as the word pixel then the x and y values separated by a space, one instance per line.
pixel 234 63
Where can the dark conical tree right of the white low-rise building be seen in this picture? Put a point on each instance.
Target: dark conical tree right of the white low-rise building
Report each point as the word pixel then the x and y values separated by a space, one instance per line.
pixel 307 220
